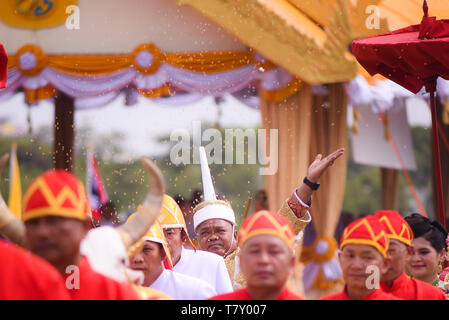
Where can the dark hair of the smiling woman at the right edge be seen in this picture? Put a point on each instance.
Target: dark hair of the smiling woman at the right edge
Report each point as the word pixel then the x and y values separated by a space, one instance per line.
pixel 432 231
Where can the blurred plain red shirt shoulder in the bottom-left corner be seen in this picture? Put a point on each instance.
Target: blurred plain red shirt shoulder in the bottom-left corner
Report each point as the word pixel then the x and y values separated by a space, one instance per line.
pixel 24 276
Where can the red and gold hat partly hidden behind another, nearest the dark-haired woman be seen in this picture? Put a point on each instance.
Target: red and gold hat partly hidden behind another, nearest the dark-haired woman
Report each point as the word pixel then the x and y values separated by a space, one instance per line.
pixel 395 226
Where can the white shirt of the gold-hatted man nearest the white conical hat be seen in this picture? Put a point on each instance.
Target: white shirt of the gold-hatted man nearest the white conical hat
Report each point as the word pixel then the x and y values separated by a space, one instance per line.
pixel 206 266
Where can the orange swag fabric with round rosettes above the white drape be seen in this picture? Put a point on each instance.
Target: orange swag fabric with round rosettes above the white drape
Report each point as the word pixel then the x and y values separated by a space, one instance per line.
pixel 96 65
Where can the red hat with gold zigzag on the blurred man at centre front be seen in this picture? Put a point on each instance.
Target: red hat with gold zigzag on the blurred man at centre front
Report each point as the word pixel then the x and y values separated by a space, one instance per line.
pixel 267 222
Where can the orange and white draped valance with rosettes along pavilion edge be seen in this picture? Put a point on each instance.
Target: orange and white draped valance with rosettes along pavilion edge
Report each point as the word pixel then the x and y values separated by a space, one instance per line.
pixel 49 69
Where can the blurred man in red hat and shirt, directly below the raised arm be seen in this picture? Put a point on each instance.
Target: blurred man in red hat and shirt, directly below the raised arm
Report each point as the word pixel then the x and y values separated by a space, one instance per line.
pixel 266 242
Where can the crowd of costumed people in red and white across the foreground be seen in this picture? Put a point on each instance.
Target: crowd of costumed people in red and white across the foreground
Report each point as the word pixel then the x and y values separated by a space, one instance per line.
pixel 63 254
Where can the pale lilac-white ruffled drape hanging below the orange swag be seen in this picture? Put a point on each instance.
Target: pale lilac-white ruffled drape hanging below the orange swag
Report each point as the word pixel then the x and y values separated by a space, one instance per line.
pixel 92 91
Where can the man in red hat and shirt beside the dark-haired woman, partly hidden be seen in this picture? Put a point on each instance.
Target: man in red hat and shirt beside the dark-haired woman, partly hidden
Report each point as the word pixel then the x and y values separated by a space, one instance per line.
pixel 395 280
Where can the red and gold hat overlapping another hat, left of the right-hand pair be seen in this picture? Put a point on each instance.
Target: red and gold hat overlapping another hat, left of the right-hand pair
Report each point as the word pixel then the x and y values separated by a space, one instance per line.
pixel 368 231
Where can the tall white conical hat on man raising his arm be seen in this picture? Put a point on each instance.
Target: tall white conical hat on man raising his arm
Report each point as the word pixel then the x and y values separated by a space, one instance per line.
pixel 211 208
